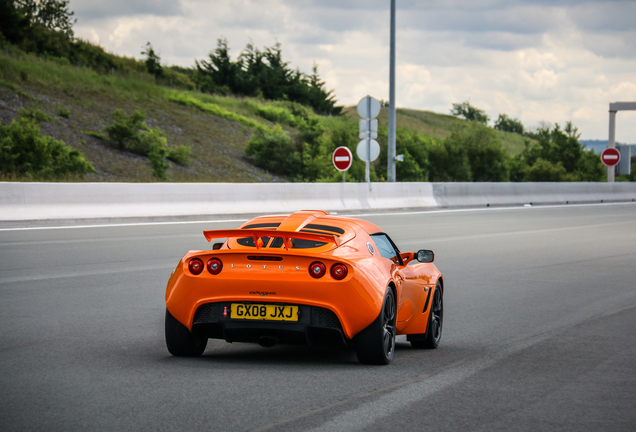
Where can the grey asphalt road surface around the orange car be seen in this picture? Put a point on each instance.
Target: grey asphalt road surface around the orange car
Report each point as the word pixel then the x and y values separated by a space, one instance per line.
pixel 539 334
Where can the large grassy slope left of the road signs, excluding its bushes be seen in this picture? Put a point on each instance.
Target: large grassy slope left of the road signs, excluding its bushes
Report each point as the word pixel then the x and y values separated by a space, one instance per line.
pixel 86 99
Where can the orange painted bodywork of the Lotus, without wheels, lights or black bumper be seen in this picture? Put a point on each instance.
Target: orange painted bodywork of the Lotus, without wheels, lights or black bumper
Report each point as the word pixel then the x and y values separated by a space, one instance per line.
pixel 356 300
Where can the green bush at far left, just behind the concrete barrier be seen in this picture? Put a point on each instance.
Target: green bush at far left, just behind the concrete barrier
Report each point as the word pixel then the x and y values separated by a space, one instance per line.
pixel 24 152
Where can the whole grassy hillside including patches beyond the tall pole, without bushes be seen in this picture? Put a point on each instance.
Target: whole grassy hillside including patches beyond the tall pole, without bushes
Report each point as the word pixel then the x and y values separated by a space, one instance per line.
pixel 216 128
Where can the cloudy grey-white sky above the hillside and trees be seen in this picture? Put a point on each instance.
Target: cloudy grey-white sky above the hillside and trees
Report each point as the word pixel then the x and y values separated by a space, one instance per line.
pixel 536 60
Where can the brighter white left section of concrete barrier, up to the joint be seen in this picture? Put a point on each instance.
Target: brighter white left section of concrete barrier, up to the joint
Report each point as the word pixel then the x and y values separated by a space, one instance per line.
pixel 47 201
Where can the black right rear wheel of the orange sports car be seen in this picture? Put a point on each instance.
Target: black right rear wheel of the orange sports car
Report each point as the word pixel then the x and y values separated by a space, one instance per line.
pixel 376 343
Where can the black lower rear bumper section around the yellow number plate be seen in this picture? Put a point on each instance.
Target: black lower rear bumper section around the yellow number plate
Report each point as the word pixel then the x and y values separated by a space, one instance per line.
pixel 315 326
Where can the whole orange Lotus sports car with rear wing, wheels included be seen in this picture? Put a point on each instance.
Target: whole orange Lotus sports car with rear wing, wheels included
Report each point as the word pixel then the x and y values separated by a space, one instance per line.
pixel 305 278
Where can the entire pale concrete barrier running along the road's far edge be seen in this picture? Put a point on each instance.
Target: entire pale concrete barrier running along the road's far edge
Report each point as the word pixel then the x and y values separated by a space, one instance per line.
pixel 63 201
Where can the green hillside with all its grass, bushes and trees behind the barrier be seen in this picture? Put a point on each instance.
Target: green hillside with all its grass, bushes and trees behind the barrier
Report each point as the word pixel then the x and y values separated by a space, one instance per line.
pixel 104 117
